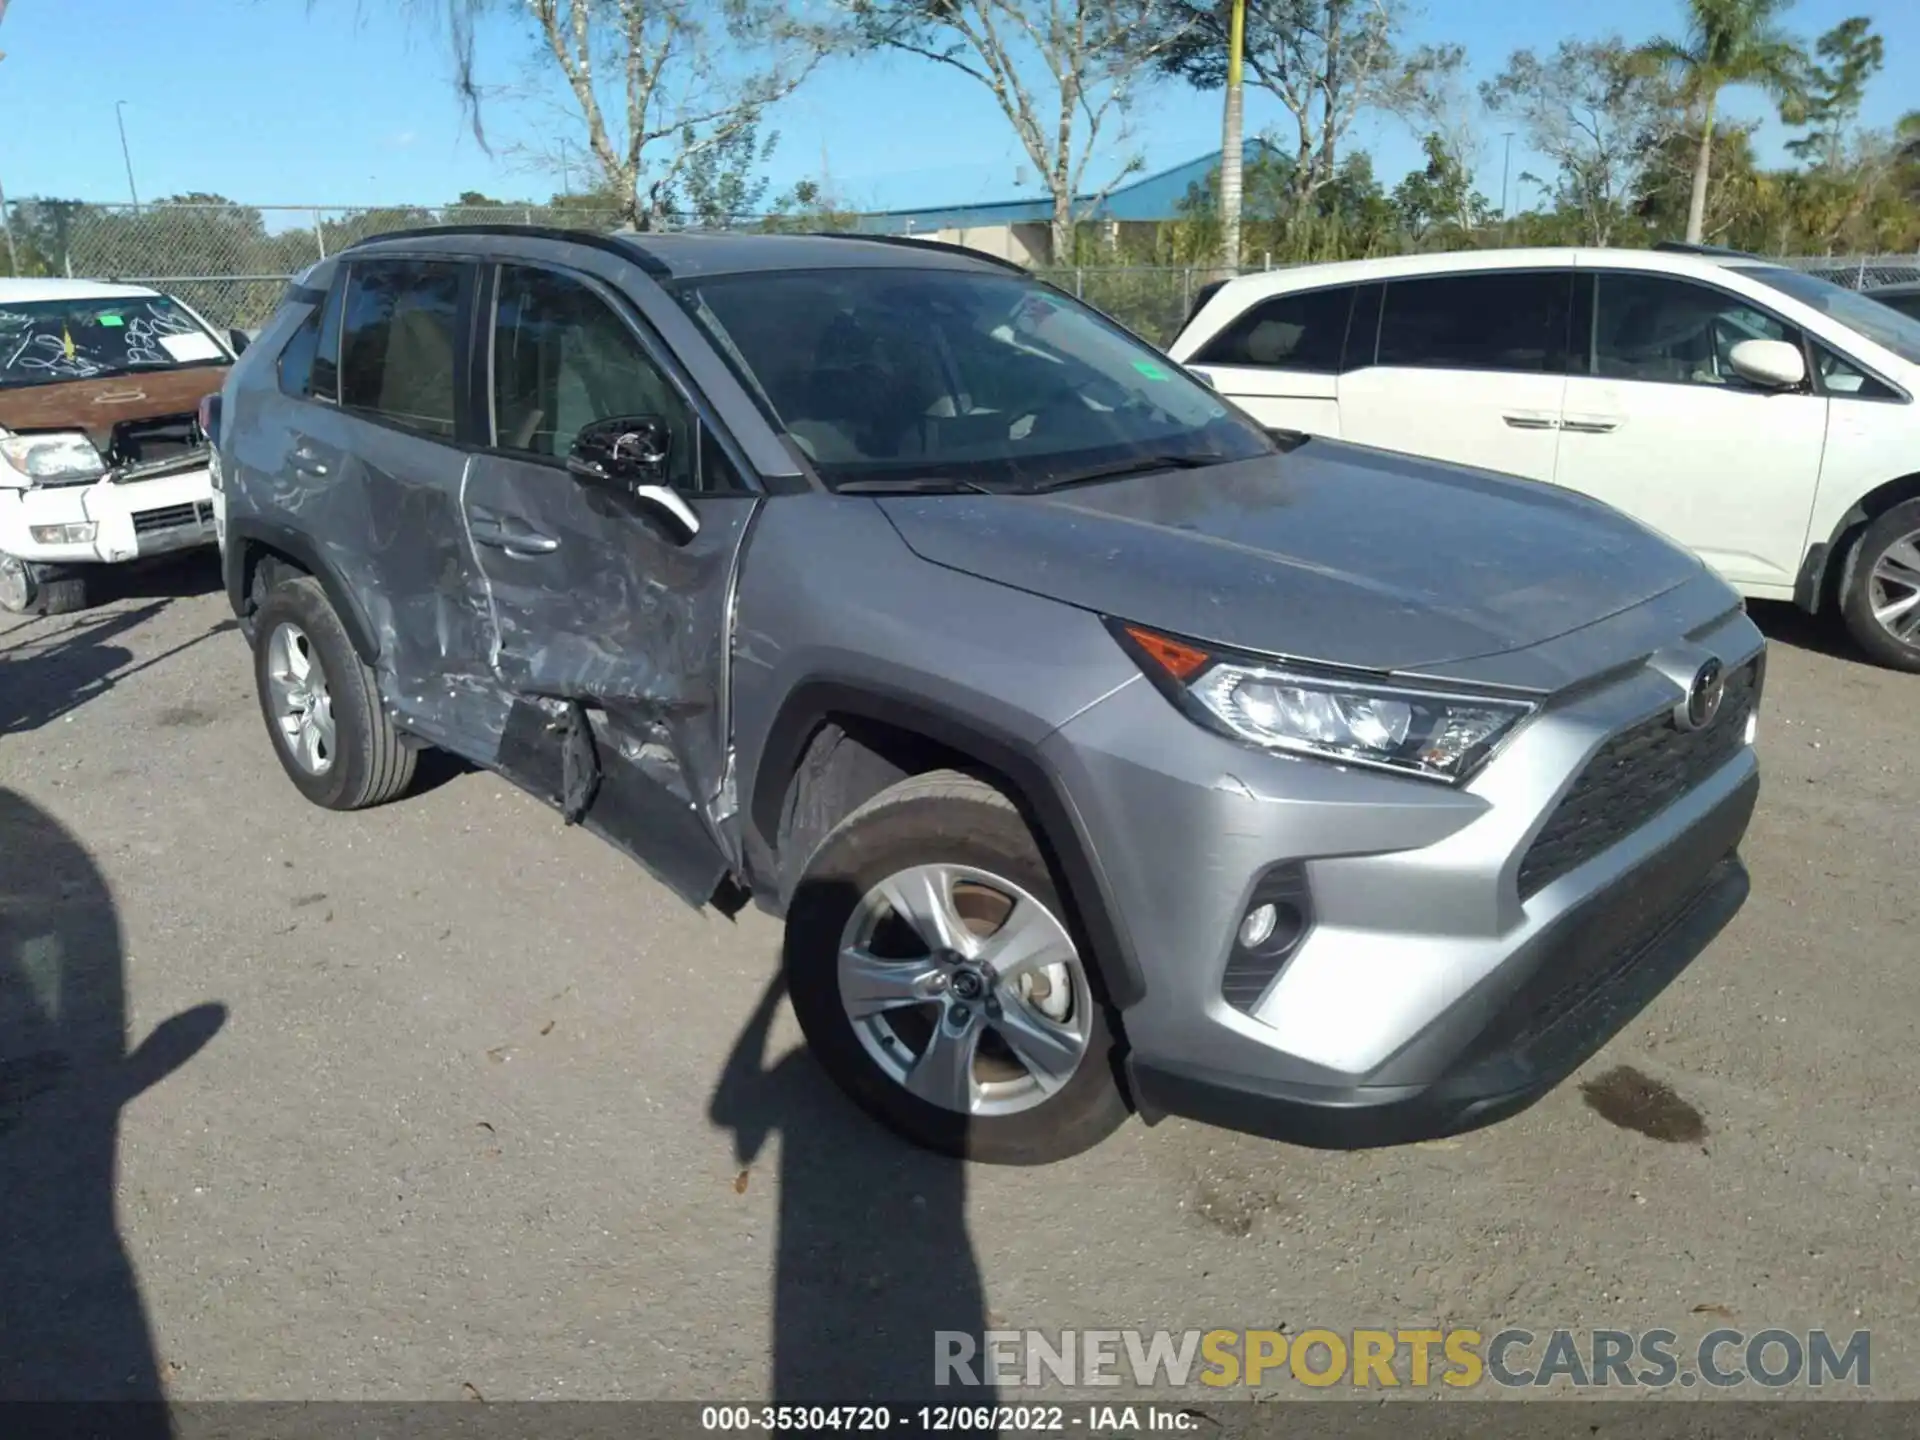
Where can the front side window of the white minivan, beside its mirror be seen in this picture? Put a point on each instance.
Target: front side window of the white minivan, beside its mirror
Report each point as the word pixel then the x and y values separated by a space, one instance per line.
pixel 1669 331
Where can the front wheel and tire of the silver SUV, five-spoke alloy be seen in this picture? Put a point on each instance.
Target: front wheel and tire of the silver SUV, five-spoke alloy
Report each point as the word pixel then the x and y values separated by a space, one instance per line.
pixel 940 986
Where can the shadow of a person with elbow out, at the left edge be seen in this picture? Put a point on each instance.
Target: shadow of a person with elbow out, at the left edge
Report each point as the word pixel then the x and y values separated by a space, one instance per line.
pixel 72 1322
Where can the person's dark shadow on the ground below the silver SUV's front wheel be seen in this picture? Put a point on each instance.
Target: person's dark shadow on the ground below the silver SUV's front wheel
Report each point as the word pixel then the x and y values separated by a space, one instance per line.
pixel 873 1255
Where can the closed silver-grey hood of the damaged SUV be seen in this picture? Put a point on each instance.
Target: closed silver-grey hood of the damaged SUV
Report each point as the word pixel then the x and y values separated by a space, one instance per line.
pixel 1332 554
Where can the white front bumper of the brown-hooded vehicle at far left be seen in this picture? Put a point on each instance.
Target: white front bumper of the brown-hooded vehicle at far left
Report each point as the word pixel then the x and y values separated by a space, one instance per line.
pixel 132 519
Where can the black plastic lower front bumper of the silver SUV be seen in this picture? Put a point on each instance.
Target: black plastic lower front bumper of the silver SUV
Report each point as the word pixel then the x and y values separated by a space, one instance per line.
pixel 1522 1032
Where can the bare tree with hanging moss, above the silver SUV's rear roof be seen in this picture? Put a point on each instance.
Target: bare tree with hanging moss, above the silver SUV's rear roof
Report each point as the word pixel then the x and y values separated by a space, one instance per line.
pixel 654 84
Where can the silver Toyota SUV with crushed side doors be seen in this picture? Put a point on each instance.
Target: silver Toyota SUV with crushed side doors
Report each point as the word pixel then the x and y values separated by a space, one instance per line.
pixel 1101 750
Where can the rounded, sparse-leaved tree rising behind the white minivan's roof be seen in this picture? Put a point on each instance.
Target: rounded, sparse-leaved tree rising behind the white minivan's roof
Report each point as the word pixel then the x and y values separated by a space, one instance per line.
pixel 1598 114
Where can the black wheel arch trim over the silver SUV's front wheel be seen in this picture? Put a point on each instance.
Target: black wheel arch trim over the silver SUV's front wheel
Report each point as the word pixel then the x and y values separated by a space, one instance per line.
pixel 834 746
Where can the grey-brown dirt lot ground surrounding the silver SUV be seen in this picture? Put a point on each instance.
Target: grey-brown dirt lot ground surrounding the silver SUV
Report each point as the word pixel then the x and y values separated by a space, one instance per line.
pixel 444 1099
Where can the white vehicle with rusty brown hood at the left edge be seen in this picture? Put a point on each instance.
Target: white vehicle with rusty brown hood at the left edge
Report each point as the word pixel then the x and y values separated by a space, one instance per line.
pixel 103 454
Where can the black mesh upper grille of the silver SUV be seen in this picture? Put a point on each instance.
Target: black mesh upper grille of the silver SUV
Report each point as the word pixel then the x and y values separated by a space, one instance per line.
pixel 1633 779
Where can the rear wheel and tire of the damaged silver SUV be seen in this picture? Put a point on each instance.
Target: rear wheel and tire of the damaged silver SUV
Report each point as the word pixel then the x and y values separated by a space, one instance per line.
pixel 324 704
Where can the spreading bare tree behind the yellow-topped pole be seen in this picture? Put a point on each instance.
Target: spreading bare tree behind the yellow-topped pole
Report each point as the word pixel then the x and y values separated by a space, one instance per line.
pixel 1328 62
